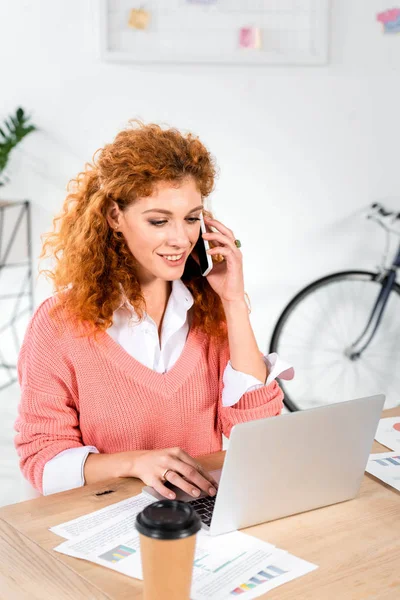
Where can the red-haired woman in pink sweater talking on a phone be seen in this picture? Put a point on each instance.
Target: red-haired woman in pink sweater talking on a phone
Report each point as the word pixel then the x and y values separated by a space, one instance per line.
pixel 139 363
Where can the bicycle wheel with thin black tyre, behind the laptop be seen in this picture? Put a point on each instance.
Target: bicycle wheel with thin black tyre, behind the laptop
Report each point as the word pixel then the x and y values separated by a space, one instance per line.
pixel 317 326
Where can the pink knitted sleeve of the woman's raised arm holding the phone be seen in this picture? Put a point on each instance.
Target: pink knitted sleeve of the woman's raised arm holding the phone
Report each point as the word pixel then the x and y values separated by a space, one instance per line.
pixel 267 401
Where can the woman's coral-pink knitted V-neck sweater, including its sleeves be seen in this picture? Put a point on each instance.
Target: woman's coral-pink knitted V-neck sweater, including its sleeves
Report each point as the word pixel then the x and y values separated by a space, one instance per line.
pixel 79 392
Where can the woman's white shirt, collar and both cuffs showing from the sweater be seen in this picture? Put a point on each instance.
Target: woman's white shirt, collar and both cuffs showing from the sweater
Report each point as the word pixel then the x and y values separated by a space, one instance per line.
pixel 141 340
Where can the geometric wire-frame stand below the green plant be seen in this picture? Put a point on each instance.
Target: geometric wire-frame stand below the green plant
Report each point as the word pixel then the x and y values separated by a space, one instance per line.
pixel 16 285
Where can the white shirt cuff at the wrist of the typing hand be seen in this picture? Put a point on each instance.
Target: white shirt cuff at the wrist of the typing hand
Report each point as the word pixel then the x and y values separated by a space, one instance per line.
pixel 65 470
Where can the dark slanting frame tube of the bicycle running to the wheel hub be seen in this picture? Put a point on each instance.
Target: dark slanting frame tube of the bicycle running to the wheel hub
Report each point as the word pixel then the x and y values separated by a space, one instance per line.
pixel 387 281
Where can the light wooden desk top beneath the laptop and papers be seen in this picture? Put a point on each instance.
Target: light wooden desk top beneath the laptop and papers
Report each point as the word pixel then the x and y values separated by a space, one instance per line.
pixel 356 545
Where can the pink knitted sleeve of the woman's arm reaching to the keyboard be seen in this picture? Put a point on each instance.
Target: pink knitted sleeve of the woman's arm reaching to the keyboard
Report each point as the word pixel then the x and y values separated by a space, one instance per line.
pixel 47 422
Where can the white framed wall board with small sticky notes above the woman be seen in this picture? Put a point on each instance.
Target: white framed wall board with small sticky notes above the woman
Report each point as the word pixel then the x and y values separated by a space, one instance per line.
pixel 293 32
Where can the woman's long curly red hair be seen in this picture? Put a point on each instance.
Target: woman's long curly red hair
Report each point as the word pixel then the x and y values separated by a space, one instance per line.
pixel 92 261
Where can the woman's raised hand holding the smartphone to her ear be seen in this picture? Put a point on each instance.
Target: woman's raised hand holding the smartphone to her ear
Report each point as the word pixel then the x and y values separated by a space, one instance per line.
pixel 226 278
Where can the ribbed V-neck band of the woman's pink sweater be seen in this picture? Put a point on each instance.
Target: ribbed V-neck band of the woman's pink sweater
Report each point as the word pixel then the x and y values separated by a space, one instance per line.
pixel 173 378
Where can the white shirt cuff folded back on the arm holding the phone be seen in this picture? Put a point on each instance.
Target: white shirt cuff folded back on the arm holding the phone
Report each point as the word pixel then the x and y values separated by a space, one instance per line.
pixel 237 383
